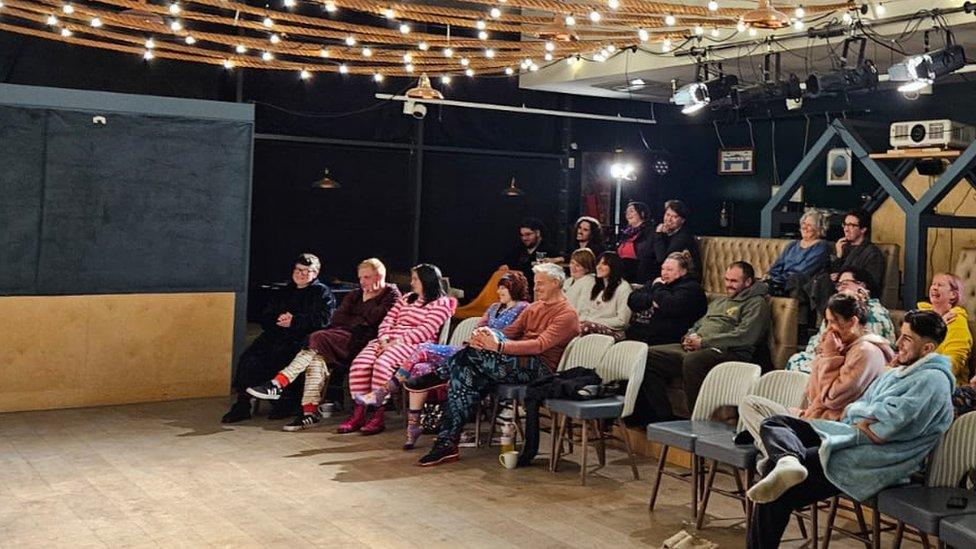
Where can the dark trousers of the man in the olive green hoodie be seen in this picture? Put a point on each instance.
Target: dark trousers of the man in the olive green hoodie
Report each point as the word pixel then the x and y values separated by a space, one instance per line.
pixel 666 363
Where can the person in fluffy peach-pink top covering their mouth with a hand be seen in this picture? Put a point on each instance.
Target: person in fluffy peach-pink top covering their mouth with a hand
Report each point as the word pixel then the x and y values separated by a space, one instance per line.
pixel 847 361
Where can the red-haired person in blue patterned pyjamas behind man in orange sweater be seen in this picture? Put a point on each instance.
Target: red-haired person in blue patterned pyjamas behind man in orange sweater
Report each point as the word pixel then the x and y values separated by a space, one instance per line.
pixel 430 359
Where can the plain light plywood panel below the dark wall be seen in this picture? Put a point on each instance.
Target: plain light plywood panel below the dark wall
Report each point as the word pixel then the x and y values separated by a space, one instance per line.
pixel 72 351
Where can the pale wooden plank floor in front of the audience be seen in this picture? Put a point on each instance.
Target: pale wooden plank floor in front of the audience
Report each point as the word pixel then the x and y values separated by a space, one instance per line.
pixel 170 475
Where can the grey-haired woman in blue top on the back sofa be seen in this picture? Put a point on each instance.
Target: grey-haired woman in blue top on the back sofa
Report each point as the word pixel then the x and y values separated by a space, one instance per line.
pixel 801 259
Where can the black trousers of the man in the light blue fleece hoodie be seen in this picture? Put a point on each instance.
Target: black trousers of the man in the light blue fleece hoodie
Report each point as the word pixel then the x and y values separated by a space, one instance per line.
pixel 788 436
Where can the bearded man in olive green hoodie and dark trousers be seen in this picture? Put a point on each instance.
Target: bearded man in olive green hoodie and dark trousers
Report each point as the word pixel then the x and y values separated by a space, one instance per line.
pixel 732 329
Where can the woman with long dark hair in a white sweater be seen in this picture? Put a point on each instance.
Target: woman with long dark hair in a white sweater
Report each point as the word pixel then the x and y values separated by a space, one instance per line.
pixel 606 311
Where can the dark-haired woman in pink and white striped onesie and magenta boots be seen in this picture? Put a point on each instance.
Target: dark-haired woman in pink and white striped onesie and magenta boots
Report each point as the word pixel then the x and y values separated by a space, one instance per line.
pixel 415 318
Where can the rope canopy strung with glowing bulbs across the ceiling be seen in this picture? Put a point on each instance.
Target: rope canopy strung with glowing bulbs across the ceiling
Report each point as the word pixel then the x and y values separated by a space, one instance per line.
pixel 484 37
